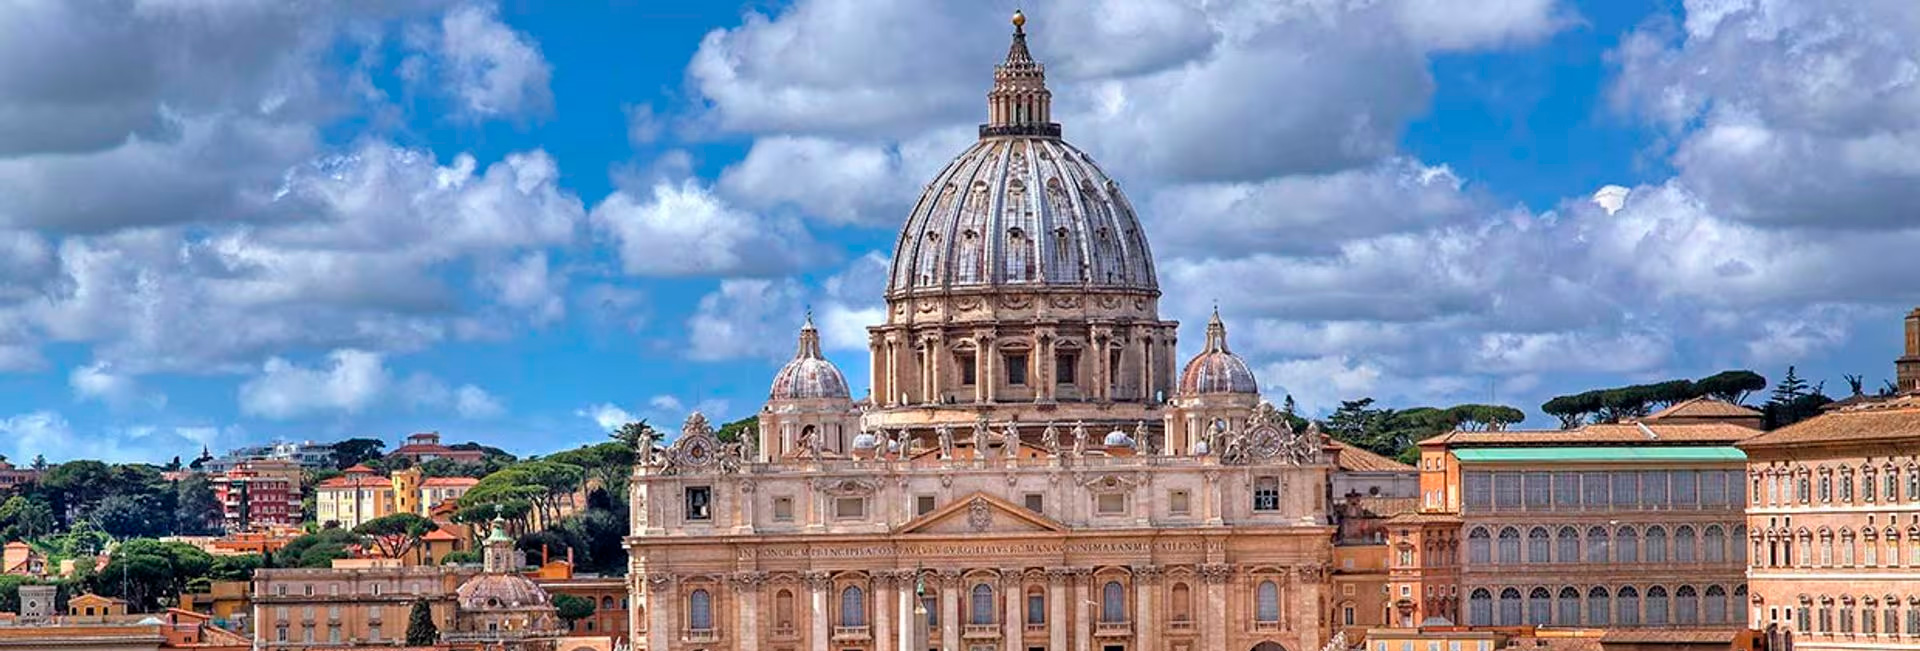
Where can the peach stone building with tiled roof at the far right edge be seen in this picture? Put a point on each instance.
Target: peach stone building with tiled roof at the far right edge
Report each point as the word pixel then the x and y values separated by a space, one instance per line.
pixel 1836 529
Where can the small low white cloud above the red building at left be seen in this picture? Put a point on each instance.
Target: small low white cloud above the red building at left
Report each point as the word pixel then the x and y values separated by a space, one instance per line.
pixel 350 381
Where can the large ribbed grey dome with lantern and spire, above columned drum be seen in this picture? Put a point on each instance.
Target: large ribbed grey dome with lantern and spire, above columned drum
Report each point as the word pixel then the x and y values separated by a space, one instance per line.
pixel 1022 208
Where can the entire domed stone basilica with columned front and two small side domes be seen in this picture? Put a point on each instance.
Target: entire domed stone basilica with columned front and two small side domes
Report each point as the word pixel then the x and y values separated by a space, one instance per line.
pixel 1034 468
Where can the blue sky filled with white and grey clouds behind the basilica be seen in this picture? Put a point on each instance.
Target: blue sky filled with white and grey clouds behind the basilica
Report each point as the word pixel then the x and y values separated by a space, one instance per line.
pixel 229 222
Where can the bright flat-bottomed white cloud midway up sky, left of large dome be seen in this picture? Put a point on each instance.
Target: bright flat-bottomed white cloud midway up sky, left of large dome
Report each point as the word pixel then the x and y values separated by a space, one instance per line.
pixel 688 231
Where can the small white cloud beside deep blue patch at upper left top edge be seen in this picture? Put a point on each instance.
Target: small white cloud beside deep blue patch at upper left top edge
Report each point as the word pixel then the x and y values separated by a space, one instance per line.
pixel 489 66
